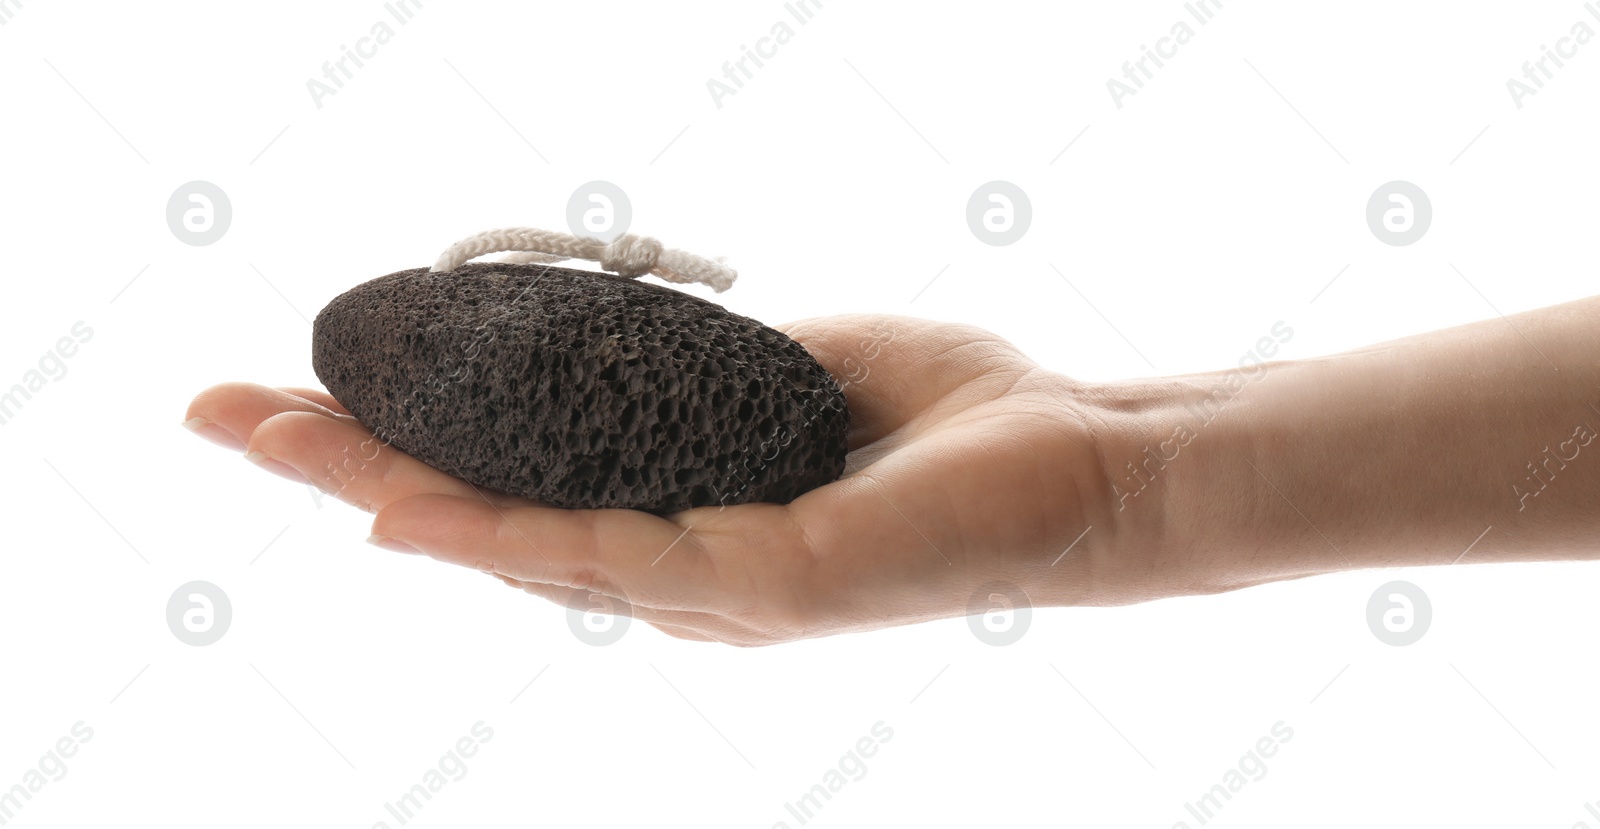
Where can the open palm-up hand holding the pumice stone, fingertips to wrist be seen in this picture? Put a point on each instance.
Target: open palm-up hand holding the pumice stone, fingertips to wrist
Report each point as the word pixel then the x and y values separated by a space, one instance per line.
pixel 969 465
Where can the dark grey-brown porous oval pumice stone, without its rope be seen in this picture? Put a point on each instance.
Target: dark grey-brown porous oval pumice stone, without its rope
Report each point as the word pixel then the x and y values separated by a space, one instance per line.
pixel 582 390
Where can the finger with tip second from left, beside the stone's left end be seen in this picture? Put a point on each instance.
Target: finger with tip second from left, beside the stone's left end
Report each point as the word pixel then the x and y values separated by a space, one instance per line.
pixel 345 460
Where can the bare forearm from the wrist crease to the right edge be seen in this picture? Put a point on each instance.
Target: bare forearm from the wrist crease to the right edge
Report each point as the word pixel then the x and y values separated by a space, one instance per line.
pixel 1402 454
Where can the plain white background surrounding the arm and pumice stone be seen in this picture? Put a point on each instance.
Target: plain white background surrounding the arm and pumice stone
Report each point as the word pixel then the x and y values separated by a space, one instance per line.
pixel 836 182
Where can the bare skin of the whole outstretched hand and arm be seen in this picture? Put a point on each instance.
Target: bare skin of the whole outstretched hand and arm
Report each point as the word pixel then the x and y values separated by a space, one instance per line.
pixel 972 465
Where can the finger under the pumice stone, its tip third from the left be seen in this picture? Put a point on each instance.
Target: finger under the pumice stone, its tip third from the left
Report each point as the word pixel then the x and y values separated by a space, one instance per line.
pixel 641 558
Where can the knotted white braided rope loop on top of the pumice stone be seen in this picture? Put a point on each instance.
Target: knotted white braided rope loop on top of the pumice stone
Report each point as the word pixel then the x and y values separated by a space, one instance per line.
pixel 626 257
